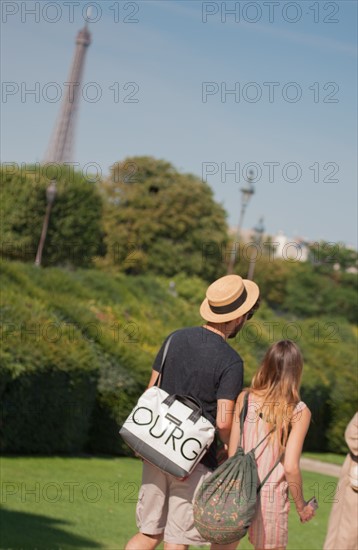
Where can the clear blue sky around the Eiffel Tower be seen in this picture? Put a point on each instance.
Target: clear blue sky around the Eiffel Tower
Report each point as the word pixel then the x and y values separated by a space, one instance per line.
pixel 292 119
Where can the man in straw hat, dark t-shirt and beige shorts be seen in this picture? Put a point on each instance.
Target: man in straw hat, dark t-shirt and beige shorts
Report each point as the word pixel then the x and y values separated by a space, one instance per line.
pixel 201 364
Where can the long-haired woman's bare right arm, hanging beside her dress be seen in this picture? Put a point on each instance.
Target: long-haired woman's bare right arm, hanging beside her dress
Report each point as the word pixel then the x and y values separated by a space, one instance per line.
pixel 292 463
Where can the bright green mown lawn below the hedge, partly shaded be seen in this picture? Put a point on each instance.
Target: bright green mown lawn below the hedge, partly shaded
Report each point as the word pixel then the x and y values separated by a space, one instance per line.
pixel 69 503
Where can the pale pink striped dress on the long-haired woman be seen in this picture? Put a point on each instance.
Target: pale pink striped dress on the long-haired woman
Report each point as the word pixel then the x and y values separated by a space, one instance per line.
pixel 269 529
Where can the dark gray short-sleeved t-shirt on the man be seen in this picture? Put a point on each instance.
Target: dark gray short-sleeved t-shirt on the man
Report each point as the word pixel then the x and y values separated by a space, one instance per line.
pixel 201 364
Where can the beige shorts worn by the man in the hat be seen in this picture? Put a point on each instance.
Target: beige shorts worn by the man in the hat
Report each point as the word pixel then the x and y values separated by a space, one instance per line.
pixel 165 505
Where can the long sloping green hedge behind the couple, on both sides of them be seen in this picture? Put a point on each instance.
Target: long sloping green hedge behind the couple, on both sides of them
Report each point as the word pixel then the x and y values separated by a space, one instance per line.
pixel 77 349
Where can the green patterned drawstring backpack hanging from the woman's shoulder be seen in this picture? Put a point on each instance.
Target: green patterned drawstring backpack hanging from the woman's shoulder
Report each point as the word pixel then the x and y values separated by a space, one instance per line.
pixel 225 503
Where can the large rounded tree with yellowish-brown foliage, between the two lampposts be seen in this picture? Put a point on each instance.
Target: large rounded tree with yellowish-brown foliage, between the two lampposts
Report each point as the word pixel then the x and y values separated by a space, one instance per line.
pixel 160 220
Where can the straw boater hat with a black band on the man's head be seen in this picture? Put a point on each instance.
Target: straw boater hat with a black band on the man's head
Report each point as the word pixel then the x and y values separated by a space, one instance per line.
pixel 228 298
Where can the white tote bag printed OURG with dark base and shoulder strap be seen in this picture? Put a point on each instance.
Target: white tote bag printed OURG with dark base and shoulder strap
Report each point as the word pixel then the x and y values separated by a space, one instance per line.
pixel 168 431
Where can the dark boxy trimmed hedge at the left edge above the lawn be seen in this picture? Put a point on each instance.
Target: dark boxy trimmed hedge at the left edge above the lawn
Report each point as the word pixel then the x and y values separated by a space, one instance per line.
pixel 47 411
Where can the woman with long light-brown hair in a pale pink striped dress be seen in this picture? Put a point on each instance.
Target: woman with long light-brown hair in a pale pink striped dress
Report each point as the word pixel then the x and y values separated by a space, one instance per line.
pixel 274 402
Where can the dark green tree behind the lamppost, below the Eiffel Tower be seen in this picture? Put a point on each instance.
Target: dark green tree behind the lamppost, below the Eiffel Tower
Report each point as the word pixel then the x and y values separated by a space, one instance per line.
pixel 74 233
